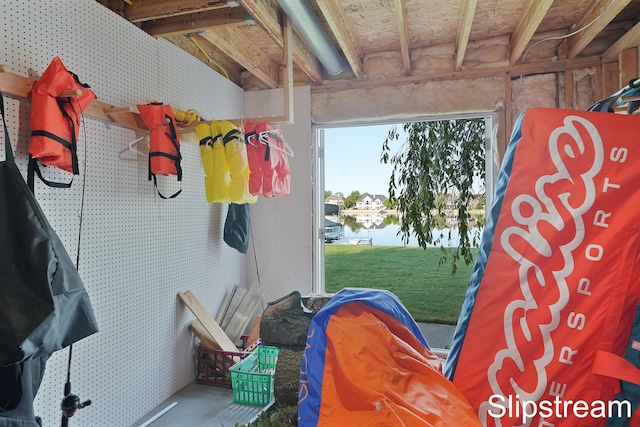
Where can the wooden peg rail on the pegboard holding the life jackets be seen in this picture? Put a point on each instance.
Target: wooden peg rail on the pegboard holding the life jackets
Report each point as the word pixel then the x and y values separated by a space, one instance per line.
pixel 19 87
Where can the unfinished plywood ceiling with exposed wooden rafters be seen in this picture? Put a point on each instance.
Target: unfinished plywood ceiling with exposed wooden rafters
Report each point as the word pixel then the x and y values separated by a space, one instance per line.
pixel 244 40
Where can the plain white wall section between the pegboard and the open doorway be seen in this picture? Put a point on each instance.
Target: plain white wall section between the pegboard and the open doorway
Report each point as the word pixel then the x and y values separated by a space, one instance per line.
pixel 282 226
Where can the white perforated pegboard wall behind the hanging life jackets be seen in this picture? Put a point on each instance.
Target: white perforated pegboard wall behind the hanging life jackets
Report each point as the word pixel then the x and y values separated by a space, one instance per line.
pixel 136 250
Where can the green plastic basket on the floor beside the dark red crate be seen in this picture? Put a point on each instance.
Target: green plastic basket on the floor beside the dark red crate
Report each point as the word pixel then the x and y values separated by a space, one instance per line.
pixel 252 377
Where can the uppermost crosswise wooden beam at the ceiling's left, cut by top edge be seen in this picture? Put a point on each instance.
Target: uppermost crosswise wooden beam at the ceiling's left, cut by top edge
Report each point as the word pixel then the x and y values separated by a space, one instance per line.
pixel 139 11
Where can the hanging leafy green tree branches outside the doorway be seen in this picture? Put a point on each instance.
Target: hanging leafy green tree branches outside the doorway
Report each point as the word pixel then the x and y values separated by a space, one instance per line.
pixel 436 165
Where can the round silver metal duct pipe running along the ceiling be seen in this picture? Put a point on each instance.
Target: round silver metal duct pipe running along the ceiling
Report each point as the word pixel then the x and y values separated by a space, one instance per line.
pixel 300 13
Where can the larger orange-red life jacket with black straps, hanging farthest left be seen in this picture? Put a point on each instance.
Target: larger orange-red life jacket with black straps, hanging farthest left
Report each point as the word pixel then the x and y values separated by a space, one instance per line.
pixel 55 121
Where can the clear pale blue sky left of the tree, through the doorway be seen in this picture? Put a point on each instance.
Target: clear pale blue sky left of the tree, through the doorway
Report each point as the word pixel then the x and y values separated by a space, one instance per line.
pixel 352 159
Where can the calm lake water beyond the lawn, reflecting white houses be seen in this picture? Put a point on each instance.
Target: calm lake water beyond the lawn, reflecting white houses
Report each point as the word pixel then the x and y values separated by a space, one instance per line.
pixel 374 227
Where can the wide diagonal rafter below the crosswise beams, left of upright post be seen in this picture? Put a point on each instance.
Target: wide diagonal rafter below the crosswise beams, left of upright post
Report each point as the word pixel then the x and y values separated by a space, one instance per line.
pixel 241 51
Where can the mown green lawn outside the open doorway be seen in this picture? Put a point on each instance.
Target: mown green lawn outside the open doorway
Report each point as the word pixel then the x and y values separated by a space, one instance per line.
pixel 429 293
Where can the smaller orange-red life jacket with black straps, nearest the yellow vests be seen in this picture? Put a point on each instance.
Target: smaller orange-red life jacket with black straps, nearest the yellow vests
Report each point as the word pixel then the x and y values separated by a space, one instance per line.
pixel 164 151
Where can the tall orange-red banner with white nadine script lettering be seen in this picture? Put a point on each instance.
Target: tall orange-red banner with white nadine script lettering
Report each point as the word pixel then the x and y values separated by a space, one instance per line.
pixel 556 278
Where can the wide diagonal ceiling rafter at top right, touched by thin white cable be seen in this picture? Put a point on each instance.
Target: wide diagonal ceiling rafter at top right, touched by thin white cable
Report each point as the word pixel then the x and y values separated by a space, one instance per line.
pixel 603 12
